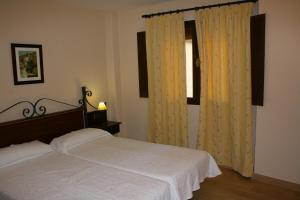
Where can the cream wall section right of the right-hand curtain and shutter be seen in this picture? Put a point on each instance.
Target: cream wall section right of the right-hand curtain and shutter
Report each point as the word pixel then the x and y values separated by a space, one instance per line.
pixel 278 121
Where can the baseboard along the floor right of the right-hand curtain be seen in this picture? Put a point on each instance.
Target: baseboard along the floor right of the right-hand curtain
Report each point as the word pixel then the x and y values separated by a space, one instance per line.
pixel 277 182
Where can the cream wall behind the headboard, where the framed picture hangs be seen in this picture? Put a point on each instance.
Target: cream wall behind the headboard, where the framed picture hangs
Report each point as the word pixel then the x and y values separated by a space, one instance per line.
pixel 73 41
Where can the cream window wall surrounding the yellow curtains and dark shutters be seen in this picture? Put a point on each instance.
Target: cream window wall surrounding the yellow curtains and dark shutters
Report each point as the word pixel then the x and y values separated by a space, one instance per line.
pixel 278 122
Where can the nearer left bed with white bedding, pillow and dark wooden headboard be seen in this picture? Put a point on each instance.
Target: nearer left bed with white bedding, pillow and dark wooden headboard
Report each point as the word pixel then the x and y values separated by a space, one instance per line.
pixel 55 176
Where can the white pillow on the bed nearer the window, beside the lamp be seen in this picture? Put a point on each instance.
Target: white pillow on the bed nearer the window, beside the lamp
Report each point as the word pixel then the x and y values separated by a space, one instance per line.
pixel 76 138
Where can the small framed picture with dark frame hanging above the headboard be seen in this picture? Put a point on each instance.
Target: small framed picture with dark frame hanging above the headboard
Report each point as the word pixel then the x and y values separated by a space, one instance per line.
pixel 27 60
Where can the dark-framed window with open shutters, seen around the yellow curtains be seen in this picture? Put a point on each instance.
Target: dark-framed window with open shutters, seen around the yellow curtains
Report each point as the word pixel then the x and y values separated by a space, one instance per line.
pixel 193 63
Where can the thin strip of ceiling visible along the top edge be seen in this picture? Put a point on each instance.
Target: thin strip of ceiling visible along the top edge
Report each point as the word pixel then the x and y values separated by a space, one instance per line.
pixel 112 4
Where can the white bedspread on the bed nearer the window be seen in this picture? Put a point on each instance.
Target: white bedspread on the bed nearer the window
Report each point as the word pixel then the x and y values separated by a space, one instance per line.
pixel 184 169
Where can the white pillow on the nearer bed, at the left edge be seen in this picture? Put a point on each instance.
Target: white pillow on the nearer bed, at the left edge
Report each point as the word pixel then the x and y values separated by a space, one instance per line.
pixel 21 152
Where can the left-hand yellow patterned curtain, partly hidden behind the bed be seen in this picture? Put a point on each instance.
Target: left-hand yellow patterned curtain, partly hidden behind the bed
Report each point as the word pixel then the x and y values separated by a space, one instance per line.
pixel 165 39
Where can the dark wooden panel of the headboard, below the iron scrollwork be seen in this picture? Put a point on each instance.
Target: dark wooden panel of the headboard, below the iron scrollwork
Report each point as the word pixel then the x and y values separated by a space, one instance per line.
pixel 43 128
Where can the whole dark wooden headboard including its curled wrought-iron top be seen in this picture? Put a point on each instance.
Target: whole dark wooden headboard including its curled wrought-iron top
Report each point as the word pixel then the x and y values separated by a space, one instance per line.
pixel 37 125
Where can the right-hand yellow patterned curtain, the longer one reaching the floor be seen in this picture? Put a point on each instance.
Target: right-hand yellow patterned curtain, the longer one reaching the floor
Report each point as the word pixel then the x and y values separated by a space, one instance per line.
pixel 225 103
